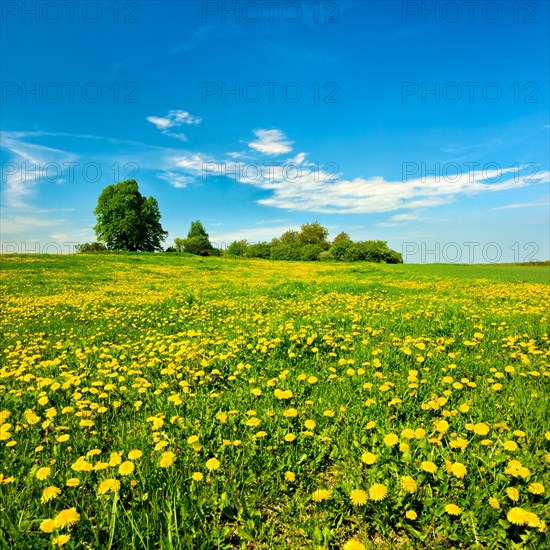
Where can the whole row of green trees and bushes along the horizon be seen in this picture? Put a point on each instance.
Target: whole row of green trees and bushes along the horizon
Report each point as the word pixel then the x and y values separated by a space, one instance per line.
pixel 126 220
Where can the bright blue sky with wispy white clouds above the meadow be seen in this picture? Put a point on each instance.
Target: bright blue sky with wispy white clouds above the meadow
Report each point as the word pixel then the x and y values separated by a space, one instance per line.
pixel 383 119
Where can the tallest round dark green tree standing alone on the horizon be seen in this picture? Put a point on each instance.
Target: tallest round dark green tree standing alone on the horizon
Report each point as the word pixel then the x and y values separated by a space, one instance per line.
pixel 126 220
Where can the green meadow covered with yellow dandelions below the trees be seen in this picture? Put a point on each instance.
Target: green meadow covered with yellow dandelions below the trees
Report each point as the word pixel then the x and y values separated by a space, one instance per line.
pixel 167 401
